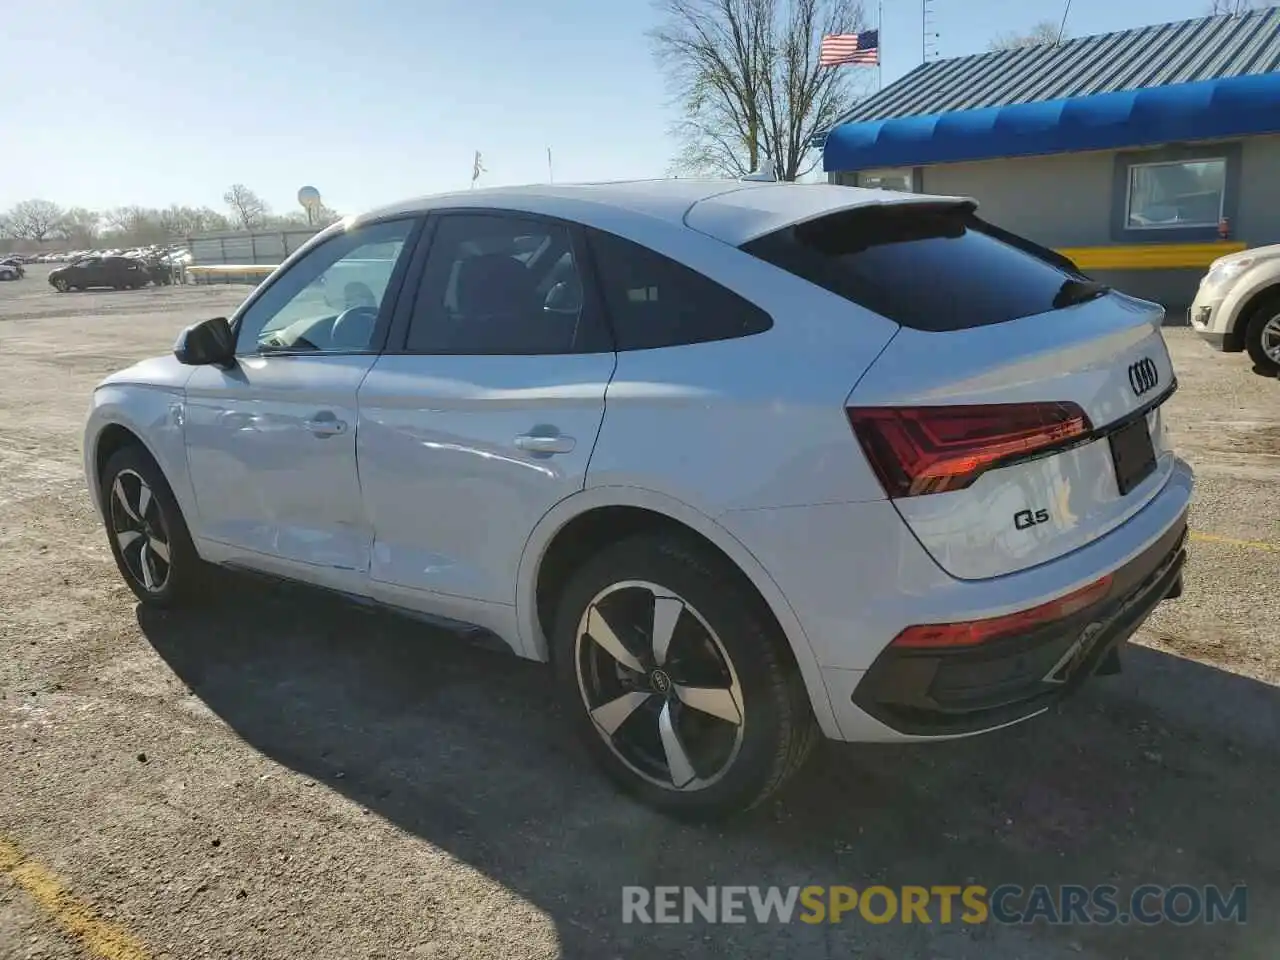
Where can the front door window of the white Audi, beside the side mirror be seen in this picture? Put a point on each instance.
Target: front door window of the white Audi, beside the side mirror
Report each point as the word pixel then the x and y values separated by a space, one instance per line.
pixel 332 299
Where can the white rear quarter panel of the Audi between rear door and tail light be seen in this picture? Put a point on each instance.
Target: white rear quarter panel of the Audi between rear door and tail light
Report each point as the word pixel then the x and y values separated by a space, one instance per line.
pixel 749 423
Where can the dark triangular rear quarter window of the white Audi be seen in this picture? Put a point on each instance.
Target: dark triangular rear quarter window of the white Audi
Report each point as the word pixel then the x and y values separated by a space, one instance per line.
pixel 653 301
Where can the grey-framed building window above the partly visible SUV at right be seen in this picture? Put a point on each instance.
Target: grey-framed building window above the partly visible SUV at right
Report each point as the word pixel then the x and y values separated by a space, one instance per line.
pixel 1177 195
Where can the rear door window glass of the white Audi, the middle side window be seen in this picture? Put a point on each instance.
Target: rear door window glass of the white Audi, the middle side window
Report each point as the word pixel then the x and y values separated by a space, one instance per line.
pixel 502 285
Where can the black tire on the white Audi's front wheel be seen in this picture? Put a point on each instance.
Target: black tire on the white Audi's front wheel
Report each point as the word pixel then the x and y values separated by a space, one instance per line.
pixel 175 580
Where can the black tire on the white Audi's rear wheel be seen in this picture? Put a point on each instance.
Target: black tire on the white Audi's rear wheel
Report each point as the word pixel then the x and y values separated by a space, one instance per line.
pixel 775 732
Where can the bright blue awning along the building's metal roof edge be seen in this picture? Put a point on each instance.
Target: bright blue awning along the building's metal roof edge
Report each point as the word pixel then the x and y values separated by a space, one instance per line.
pixel 1232 107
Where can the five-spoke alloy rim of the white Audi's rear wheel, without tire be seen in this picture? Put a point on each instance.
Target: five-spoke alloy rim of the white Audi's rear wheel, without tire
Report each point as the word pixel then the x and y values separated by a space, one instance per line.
pixel 660 687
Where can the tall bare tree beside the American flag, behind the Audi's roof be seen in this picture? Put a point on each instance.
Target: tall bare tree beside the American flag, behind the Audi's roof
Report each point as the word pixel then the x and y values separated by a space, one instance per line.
pixel 746 79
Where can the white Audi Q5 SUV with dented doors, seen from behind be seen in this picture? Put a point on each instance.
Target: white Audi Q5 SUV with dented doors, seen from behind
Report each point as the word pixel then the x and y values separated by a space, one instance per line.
pixel 746 461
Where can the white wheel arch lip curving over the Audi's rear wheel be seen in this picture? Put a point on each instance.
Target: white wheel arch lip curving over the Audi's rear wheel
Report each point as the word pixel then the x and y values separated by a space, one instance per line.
pixel 572 531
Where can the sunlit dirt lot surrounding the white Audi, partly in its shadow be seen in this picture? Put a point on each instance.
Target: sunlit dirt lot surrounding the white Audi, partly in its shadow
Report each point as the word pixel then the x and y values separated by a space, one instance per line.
pixel 286 778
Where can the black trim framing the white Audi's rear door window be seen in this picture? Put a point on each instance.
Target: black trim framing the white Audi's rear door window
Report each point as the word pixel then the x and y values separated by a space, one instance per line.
pixel 593 301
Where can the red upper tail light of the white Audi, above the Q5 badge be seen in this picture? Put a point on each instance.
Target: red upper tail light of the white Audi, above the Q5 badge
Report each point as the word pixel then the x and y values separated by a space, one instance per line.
pixel 932 450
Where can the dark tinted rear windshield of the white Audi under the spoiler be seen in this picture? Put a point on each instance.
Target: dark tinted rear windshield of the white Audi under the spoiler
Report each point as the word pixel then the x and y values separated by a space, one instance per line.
pixel 927 267
